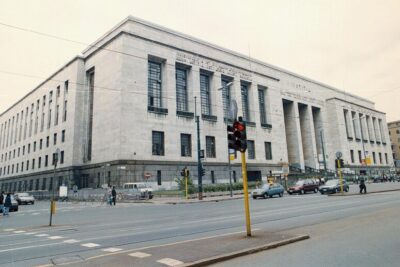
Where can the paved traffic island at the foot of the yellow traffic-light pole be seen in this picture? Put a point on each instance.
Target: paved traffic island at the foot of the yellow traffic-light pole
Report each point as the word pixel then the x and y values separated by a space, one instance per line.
pixel 197 252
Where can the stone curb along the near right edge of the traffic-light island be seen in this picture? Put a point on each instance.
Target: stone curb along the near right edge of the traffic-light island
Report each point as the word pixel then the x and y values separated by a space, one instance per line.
pixel 228 256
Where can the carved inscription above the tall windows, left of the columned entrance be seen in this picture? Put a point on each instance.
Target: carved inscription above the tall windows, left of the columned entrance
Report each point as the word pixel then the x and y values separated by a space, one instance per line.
pixel 211 66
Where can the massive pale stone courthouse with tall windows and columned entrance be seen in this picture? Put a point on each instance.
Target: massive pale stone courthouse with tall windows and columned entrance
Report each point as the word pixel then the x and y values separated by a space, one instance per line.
pixel 124 111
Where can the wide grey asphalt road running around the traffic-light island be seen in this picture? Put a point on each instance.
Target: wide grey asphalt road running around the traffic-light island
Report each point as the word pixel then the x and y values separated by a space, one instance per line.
pixel 84 230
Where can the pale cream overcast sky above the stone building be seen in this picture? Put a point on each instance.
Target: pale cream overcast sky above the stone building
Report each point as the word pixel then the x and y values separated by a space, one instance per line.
pixel 351 45
